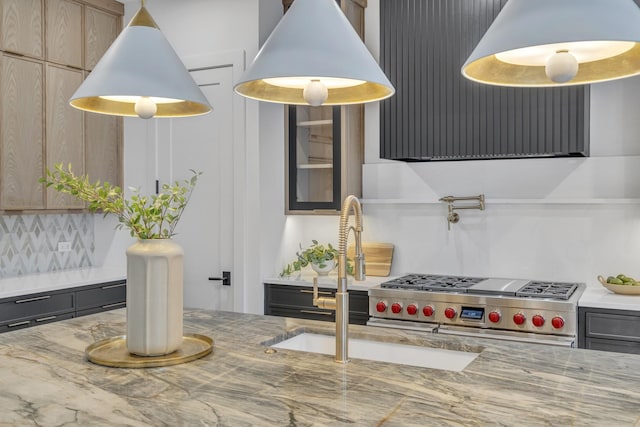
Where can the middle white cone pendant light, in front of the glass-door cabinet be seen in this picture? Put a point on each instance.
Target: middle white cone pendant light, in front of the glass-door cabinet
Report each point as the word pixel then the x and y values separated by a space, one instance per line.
pixel 314 57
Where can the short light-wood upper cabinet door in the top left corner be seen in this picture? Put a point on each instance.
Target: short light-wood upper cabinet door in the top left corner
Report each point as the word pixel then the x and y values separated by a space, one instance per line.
pixel 21 27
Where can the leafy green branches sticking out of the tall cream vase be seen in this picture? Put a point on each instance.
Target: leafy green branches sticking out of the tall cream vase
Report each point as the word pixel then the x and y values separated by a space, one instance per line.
pixel 146 217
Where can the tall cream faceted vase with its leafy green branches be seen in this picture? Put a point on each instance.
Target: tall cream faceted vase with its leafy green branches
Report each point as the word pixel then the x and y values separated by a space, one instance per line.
pixel 154 262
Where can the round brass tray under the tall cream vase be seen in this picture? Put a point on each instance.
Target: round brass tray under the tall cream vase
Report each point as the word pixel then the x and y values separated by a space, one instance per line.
pixel 113 352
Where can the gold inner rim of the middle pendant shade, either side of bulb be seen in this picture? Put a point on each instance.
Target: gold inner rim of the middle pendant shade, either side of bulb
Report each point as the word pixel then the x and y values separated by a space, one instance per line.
pixel 262 91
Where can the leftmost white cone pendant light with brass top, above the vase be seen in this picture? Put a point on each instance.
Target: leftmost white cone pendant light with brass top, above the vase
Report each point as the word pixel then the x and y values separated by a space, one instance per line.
pixel 141 75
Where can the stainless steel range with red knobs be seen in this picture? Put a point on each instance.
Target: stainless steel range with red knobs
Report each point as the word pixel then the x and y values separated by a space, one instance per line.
pixel 517 309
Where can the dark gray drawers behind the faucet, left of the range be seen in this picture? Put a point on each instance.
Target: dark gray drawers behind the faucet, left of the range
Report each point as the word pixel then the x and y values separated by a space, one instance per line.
pixel 297 301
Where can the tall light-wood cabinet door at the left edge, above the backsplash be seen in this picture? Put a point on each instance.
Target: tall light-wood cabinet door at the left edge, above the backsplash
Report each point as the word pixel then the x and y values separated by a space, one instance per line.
pixel 21 133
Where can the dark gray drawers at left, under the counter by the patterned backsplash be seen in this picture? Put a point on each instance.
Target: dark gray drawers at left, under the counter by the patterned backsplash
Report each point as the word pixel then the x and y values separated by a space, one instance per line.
pixel 45 307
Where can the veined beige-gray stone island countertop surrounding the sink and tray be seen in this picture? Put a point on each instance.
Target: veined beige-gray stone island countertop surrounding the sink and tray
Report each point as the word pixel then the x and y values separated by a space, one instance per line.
pixel 46 381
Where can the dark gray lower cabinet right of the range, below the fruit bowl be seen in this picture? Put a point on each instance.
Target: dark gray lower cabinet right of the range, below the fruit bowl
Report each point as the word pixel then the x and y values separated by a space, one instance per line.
pixel 609 330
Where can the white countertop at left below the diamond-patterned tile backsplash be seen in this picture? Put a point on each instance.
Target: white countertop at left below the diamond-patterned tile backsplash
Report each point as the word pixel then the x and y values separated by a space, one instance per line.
pixel 53 281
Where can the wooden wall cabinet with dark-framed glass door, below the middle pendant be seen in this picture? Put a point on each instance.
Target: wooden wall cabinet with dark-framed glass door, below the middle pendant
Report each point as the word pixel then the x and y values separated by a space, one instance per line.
pixel 324 157
